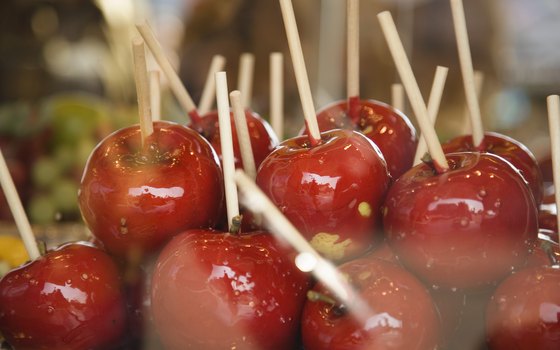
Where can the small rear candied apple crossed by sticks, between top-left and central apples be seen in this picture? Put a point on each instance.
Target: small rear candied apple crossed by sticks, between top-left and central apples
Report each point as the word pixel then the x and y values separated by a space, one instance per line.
pixel 263 139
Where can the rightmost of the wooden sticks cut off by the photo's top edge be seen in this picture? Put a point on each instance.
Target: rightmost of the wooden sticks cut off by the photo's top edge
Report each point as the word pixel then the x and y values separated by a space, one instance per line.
pixel 465 60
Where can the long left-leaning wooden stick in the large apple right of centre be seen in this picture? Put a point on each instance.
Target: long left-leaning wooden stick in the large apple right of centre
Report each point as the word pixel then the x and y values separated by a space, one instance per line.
pixel 412 90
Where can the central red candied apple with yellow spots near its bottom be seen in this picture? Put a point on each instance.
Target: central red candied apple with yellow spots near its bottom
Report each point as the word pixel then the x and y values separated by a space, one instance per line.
pixel 330 192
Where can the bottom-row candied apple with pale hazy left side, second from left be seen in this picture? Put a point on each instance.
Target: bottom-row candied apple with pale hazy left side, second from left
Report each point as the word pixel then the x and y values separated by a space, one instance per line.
pixel 215 290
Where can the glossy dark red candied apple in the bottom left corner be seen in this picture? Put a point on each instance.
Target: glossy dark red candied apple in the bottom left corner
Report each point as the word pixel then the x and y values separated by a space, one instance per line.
pixel 70 298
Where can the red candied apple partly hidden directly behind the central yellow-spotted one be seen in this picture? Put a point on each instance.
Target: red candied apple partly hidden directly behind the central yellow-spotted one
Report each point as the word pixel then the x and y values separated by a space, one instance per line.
pixel 388 127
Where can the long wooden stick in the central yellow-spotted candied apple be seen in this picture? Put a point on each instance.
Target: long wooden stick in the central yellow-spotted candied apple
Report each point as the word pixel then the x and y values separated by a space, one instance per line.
pixel 300 71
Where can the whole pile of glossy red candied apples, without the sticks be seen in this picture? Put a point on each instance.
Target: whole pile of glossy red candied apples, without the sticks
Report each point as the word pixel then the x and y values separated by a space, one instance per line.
pixel 415 243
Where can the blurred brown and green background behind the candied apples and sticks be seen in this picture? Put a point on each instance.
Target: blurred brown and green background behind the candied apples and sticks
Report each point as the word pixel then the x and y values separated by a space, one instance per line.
pixel 67 80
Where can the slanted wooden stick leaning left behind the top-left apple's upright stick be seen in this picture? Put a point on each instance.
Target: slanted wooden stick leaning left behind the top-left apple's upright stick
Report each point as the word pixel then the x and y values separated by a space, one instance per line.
pixel 175 82
